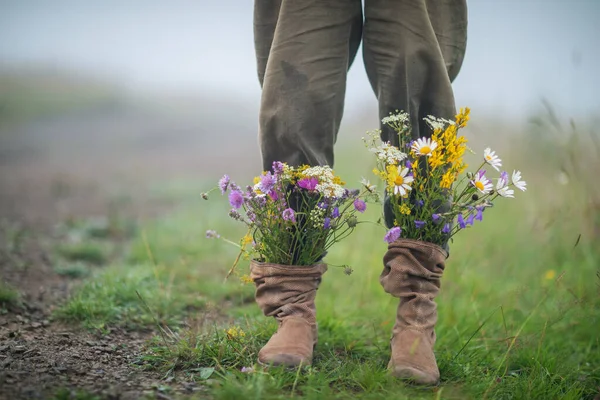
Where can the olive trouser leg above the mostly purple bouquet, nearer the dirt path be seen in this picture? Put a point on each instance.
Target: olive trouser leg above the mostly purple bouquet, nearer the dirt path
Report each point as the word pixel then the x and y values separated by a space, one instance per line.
pixel 304 51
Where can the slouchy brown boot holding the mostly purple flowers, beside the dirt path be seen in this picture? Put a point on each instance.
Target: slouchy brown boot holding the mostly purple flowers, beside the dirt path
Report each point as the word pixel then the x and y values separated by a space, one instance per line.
pixel 287 292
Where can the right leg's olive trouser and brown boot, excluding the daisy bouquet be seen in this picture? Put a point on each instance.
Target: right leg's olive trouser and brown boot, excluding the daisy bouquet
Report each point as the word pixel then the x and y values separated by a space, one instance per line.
pixel 412 52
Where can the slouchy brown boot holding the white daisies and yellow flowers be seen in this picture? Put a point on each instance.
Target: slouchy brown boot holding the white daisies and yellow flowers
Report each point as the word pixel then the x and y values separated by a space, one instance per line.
pixel 412 272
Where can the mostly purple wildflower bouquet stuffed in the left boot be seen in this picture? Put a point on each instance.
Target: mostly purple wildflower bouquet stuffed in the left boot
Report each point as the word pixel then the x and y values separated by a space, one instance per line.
pixel 294 214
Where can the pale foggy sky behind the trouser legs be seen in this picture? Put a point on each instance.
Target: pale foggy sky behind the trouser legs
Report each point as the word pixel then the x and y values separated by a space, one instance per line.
pixel 517 51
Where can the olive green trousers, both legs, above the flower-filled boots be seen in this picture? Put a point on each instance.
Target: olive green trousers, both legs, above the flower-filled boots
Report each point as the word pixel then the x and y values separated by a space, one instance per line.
pixel 412 51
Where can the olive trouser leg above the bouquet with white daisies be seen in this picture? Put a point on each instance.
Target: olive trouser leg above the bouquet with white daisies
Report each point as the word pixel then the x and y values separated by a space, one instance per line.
pixel 405 60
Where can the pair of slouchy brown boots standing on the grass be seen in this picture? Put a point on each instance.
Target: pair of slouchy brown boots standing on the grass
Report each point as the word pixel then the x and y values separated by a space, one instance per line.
pixel 412 272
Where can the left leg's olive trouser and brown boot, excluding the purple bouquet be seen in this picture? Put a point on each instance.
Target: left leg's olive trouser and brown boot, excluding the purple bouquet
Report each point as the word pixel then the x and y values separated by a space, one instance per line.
pixel 304 50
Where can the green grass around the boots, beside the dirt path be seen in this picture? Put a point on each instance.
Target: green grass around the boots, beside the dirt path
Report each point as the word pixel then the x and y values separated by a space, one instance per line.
pixel 519 309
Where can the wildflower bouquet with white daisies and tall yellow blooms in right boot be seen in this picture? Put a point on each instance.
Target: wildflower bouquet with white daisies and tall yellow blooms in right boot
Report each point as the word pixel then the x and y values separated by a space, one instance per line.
pixel 430 194
